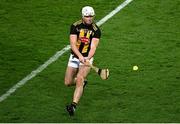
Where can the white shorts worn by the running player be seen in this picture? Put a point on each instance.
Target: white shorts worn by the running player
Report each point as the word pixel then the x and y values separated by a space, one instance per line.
pixel 75 63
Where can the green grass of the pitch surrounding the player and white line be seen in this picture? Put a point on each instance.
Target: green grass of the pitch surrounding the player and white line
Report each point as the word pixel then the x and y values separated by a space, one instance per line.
pixel 145 33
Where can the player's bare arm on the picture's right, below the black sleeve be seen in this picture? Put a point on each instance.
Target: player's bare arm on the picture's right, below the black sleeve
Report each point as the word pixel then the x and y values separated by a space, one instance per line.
pixel 94 44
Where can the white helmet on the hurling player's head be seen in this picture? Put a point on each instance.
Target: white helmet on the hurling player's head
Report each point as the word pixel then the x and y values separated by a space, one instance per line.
pixel 87 11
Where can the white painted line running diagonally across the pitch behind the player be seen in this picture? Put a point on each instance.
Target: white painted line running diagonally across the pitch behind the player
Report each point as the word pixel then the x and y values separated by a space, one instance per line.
pixel 57 55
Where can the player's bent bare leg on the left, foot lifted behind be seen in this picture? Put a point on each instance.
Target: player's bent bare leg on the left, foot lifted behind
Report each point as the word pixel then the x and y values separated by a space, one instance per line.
pixel 70 76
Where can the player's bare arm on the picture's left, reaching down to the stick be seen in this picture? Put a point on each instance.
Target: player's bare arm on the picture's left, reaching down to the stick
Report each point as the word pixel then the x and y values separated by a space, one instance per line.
pixel 73 40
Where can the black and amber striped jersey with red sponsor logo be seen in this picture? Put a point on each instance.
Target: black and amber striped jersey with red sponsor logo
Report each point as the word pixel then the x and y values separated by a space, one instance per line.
pixel 84 33
